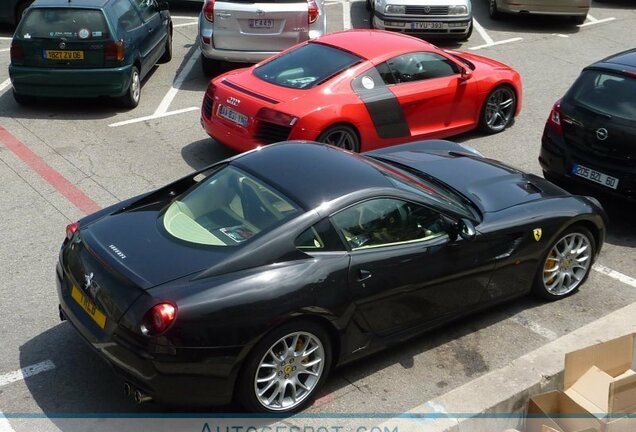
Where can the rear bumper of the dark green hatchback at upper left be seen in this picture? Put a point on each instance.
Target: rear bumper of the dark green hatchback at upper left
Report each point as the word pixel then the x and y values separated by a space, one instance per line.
pixel 49 82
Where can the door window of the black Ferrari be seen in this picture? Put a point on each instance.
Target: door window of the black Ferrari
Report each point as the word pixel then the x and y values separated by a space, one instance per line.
pixel 387 221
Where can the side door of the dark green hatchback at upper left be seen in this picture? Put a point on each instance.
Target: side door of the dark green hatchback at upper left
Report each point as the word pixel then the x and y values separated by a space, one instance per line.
pixel 153 36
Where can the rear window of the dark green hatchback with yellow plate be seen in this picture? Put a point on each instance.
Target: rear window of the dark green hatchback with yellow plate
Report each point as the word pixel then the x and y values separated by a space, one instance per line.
pixel 67 23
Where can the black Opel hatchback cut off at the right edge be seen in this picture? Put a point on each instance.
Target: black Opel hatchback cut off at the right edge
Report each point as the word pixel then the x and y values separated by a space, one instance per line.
pixel 590 136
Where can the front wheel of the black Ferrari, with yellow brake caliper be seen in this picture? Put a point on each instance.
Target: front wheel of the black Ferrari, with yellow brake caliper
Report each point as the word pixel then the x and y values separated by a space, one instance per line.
pixel 569 259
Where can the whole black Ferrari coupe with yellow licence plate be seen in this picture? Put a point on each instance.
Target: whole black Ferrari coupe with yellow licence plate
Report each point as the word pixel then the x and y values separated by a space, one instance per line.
pixel 257 275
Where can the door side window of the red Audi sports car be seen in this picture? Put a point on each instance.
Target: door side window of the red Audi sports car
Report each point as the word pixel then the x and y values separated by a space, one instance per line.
pixel 420 66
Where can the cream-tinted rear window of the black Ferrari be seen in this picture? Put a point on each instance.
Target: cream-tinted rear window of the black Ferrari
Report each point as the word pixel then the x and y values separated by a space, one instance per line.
pixel 226 209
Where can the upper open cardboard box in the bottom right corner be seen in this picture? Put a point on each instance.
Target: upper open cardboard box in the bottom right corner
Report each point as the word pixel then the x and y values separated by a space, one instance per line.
pixel 602 377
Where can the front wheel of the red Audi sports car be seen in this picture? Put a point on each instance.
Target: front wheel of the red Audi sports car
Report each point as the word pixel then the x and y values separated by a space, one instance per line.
pixel 498 111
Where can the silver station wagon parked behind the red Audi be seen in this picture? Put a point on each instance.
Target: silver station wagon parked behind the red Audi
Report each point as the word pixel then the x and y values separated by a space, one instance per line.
pixel 250 31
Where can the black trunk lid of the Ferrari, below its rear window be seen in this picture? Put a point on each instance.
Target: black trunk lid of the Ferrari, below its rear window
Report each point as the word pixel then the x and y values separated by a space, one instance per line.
pixel 135 245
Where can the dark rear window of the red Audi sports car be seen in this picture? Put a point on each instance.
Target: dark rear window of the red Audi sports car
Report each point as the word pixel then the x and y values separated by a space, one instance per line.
pixel 306 66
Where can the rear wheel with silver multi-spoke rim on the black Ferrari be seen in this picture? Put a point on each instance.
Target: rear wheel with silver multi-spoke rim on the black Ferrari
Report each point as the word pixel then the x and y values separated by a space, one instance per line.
pixel 289 371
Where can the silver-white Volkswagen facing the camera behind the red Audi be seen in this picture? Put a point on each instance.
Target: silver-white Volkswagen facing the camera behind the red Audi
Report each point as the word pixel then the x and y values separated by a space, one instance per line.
pixel 451 19
